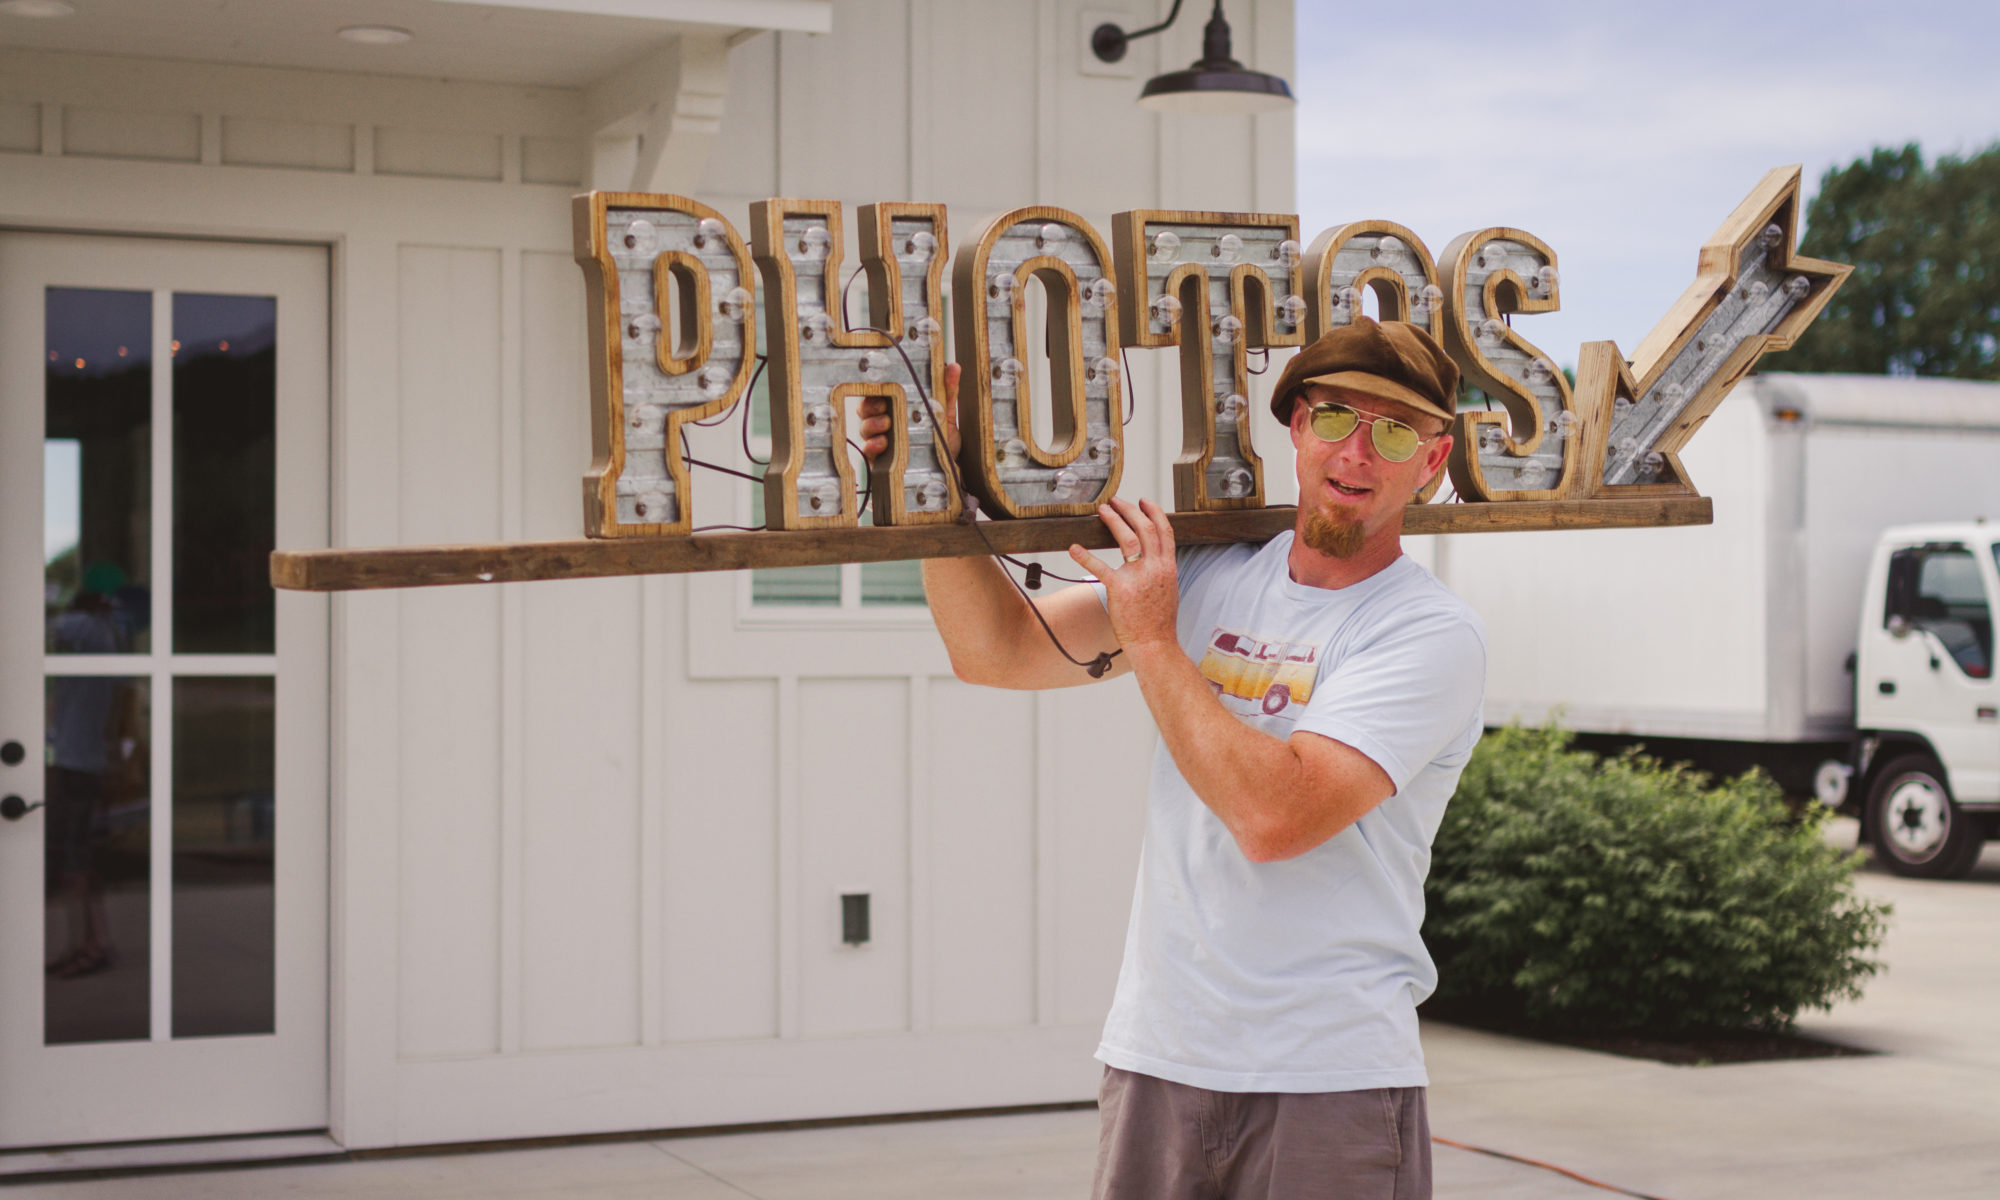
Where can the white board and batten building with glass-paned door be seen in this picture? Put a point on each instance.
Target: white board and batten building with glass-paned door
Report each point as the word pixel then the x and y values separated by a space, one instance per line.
pixel 533 859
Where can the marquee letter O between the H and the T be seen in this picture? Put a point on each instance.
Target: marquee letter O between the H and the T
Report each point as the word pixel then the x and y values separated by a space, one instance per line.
pixel 1005 461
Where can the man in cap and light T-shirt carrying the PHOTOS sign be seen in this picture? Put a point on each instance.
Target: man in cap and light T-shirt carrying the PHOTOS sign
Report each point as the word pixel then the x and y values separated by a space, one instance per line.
pixel 1317 699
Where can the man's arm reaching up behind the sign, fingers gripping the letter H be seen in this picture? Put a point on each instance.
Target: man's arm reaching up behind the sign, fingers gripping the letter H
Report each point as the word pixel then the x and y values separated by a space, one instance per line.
pixel 989 627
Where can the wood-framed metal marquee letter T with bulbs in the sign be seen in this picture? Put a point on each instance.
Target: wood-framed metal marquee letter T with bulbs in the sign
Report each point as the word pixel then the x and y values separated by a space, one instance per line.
pixel 1217 285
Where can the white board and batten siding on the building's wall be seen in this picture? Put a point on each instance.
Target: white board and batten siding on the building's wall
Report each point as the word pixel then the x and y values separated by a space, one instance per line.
pixel 589 837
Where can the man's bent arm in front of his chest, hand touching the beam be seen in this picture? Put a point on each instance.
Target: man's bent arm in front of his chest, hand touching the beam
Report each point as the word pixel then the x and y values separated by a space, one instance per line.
pixel 1277 799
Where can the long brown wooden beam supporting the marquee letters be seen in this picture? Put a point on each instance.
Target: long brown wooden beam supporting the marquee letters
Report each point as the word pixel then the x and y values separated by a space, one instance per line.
pixel 507 563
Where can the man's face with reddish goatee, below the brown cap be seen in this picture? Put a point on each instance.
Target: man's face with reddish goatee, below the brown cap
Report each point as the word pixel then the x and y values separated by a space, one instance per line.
pixel 1347 491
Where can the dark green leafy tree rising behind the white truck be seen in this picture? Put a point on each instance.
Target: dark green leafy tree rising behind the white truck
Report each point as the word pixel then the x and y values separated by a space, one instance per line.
pixel 1925 243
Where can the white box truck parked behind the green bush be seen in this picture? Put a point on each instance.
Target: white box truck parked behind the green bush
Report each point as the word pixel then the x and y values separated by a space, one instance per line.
pixel 1747 641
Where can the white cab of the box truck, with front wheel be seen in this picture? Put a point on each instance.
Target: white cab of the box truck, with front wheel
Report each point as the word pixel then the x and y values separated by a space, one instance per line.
pixel 1927 705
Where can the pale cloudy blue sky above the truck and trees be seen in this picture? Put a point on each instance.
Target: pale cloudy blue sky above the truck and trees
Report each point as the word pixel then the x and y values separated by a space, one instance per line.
pixel 1619 133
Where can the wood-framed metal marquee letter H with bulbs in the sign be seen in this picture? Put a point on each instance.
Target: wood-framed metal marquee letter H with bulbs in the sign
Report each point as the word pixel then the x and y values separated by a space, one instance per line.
pixel 819 365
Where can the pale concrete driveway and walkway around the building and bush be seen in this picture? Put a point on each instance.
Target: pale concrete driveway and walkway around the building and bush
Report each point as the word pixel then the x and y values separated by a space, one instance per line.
pixel 1919 1119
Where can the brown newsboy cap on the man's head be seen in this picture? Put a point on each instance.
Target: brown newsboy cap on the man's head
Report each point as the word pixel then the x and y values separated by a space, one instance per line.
pixel 1395 361
